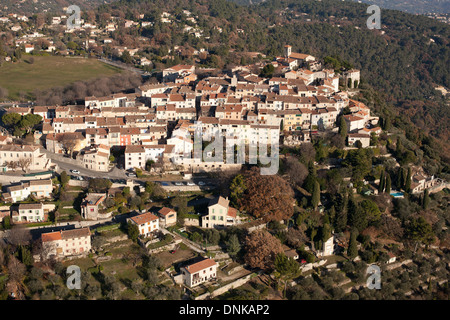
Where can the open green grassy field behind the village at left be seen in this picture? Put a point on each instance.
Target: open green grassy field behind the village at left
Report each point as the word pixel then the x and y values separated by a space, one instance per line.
pixel 49 71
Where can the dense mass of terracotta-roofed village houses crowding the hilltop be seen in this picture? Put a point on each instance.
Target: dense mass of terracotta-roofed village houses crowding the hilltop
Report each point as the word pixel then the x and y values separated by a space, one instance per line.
pixel 158 121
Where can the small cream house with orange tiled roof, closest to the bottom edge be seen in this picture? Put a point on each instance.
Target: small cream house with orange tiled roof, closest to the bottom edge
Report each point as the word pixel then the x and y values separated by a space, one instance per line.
pixel 199 272
